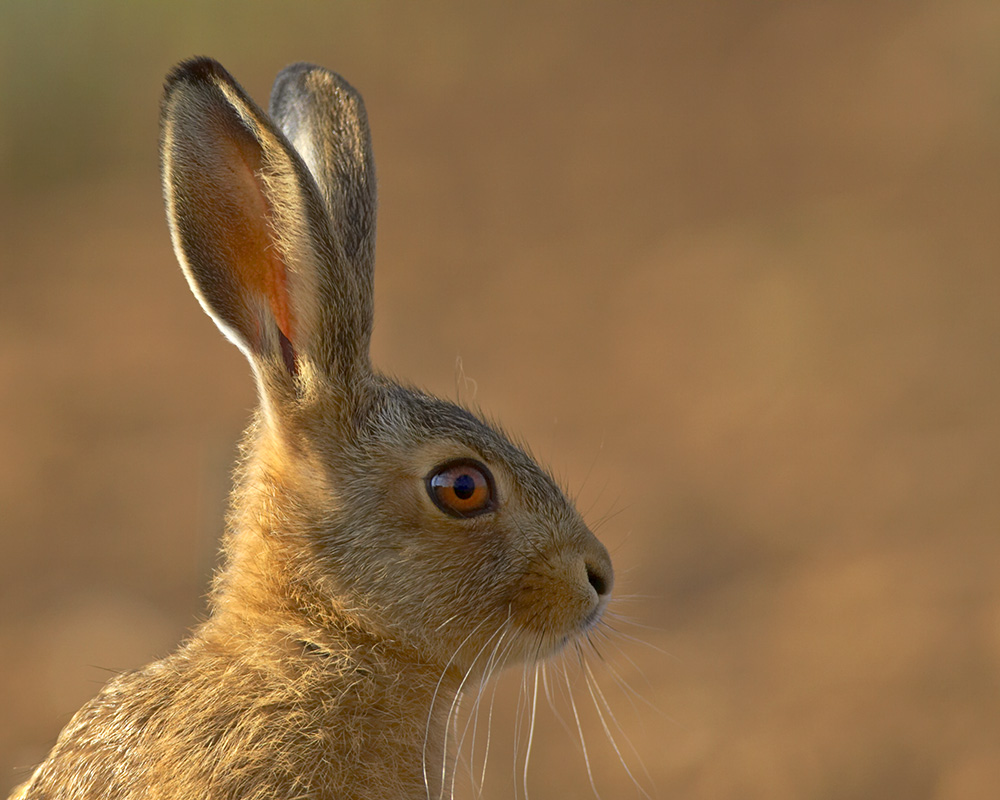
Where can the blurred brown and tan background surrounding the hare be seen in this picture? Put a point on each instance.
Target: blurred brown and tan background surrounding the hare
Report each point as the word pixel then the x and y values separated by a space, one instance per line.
pixel 730 267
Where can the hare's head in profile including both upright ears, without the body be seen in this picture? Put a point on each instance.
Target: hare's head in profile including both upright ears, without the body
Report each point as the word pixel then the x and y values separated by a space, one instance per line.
pixel 362 502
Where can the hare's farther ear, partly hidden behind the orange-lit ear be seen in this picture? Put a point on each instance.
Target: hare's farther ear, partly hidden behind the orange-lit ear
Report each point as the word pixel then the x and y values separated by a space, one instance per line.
pixel 324 118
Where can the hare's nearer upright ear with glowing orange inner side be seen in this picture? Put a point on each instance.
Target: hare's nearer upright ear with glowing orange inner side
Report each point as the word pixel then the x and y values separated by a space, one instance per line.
pixel 251 231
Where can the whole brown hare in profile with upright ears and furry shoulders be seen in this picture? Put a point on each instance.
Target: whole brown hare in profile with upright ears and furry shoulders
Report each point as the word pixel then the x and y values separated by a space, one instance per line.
pixel 385 550
